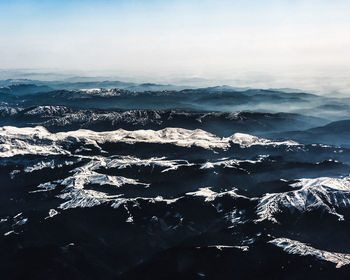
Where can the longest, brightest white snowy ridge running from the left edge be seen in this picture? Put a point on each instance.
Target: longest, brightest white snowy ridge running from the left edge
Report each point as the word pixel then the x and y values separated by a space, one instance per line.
pixel 37 140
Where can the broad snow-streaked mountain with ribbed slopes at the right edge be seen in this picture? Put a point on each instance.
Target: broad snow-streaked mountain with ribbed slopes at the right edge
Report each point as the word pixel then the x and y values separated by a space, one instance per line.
pixel 324 193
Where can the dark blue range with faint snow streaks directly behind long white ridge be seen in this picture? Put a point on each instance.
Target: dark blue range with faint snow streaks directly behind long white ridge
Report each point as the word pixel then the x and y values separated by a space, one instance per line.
pixel 58 118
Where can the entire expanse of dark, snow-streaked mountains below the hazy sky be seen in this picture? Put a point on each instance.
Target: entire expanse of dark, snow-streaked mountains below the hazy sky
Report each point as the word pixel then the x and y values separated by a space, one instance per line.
pixel 107 179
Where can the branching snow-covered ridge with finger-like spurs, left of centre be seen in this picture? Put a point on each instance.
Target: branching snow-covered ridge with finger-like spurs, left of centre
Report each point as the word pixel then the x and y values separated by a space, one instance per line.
pixel 77 195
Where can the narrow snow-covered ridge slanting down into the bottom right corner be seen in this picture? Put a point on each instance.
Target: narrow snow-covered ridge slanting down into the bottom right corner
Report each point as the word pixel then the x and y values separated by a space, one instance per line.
pixel 299 248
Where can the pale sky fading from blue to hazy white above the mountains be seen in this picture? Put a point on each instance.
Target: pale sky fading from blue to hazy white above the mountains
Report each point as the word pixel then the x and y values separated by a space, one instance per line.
pixel 270 43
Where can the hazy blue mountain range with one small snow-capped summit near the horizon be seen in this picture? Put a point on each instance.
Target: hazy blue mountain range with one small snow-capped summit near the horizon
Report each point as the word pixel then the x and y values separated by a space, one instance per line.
pixel 189 99
